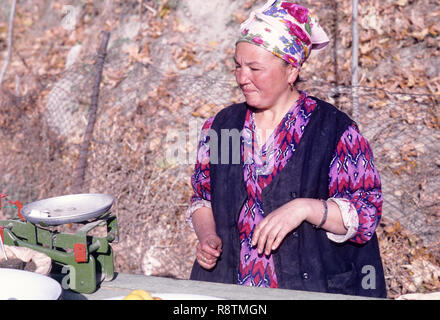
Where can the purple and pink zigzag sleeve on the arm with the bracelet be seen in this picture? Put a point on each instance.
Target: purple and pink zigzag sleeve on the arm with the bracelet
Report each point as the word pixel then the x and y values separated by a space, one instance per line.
pixel 353 177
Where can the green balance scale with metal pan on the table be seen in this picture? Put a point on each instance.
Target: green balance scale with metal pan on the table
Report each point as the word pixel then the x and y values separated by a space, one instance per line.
pixel 88 258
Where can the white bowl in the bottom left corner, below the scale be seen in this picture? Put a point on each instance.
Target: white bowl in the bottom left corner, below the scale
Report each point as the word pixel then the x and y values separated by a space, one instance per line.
pixel 25 285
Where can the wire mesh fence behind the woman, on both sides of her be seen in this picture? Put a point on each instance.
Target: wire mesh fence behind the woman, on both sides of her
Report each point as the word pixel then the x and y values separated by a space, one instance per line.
pixel 128 154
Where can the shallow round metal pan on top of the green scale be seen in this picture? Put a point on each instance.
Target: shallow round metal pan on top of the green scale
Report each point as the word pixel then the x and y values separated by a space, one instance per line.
pixel 67 209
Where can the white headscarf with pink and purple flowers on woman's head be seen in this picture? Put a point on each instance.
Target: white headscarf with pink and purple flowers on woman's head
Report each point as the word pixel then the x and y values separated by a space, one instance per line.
pixel 286 29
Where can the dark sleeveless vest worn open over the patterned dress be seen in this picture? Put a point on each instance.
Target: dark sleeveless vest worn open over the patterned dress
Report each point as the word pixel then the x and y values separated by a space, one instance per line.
pixel 306 259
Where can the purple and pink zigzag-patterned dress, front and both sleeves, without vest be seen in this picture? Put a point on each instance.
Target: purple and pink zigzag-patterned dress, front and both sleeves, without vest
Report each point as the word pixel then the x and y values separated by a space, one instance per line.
pixel 352 175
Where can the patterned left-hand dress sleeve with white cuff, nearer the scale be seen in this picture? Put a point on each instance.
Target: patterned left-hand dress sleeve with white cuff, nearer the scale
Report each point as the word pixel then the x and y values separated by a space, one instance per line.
pixel 200 181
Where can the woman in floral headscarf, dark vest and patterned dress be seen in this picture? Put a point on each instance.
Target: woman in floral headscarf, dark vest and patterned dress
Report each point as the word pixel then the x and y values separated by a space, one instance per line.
pixel 300 207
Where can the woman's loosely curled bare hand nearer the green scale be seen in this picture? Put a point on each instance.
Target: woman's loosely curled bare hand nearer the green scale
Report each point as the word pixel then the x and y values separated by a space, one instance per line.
pixel 208 251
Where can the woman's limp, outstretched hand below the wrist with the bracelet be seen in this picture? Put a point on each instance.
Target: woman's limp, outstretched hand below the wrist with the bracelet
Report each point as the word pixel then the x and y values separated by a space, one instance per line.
pixel 271 231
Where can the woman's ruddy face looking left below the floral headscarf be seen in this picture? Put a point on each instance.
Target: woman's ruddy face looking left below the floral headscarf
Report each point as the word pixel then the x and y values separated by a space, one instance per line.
pixel 263 77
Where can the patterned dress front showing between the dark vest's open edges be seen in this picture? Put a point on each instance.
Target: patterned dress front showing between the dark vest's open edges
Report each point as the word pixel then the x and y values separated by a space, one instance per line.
pixel 259 171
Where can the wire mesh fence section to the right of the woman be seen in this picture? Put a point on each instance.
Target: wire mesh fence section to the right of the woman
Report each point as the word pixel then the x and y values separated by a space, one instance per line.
pixel 403 130
